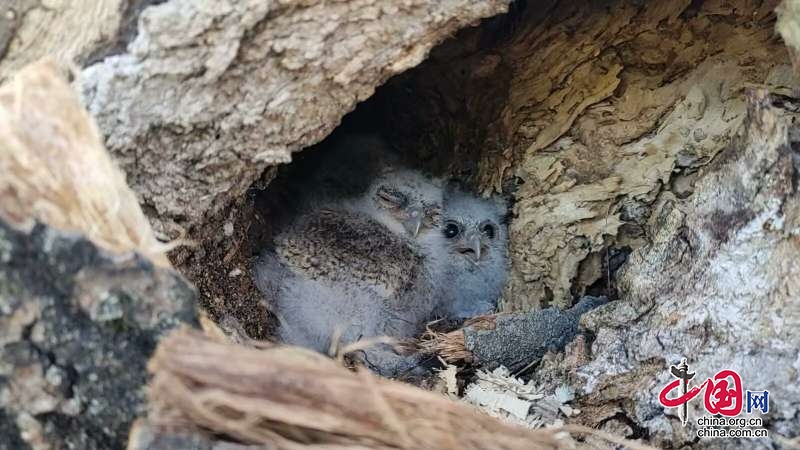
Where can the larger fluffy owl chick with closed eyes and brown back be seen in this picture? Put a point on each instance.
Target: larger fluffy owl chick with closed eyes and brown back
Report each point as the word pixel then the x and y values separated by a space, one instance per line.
pixel 359 268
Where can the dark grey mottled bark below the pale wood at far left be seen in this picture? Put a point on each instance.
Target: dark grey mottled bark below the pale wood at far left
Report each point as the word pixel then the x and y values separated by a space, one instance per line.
pixel 77 326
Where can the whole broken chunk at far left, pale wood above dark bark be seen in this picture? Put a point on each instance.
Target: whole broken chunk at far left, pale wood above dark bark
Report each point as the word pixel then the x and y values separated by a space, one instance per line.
pixel 84 298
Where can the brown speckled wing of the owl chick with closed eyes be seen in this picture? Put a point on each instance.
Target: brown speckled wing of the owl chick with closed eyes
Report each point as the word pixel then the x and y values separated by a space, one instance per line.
pixel 349 248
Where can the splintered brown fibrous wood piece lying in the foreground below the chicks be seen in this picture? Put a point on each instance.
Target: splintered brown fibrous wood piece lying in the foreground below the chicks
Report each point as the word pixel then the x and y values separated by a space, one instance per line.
pixel 291 398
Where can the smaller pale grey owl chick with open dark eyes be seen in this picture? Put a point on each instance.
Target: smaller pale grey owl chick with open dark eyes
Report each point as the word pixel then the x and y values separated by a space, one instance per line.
pixel 476 254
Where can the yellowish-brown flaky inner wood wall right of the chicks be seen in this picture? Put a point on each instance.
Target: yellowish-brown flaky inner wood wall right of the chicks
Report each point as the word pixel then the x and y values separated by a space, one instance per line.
pixel 606 115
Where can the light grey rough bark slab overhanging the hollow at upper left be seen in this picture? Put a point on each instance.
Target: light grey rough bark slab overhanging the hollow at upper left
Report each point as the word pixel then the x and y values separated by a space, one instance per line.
pixel 209 94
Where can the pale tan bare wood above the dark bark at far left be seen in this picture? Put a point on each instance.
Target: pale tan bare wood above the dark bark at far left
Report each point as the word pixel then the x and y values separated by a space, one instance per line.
pixel 54 168
